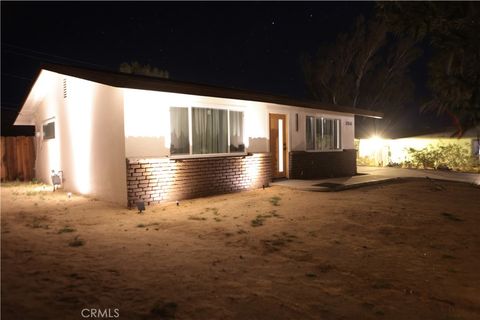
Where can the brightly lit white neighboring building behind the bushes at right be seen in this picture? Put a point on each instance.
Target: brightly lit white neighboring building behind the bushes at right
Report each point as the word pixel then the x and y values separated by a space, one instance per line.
pixel 382 152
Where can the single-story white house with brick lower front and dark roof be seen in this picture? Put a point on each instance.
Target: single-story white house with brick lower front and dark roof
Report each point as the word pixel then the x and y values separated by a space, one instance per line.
pixel 122 137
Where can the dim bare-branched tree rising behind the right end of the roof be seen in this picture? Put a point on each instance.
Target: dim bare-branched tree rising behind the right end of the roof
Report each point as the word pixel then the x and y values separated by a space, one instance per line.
pixel 367 68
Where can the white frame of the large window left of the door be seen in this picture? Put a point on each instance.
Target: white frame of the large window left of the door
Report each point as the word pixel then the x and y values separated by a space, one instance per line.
pixel 190 132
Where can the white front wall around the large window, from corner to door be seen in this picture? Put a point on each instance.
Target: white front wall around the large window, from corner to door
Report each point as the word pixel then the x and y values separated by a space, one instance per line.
pixel 147 121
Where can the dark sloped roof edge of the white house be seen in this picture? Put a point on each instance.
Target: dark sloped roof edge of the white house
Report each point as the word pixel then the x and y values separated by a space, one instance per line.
pixel 123 80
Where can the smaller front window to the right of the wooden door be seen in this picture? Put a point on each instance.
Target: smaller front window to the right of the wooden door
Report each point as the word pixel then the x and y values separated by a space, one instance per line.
pixel 323 134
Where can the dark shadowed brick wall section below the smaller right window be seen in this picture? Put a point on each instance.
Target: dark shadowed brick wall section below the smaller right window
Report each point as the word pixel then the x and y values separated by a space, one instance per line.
pixel 313 165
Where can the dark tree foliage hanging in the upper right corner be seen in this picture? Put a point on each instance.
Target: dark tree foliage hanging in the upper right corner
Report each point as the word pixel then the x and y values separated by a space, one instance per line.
pixel 452 30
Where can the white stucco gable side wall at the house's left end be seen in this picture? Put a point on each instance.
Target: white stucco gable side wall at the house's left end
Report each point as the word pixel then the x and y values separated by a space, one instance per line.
pixel 89 144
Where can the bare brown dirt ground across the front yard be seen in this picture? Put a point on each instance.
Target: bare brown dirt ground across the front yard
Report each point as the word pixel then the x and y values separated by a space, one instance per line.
pixel 406 250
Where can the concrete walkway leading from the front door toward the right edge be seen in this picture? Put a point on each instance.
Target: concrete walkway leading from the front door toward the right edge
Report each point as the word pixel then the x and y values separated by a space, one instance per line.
pixel 374 175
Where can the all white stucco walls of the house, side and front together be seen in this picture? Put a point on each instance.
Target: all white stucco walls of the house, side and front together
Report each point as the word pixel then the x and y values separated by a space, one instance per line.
pixel 98 126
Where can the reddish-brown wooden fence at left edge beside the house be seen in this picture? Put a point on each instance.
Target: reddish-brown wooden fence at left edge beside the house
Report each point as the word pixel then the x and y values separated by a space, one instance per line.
pixel 18 158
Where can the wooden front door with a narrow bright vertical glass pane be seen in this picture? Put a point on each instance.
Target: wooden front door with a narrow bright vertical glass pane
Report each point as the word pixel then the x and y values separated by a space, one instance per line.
pixel 278 144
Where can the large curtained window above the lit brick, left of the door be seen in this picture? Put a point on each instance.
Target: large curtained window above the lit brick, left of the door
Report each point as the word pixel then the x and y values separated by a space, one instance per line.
pixel 212 131
